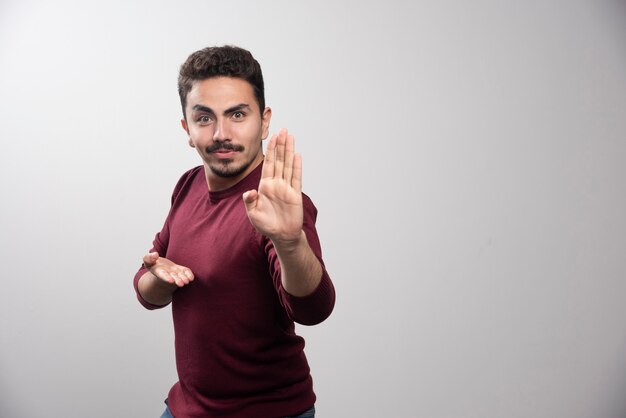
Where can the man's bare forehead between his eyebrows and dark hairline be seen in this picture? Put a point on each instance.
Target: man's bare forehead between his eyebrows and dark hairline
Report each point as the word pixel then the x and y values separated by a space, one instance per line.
pixel 221 93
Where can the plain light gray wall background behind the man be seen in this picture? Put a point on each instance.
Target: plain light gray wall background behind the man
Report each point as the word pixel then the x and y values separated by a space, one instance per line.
pixel 467 159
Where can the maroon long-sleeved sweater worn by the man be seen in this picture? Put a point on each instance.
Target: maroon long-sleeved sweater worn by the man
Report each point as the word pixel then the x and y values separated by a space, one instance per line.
pixel 237 353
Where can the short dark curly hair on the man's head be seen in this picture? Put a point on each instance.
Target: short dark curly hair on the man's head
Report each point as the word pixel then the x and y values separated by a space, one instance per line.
pixel 226 61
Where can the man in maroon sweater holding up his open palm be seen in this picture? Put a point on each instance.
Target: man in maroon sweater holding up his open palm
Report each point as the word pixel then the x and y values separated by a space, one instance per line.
pixel 238 256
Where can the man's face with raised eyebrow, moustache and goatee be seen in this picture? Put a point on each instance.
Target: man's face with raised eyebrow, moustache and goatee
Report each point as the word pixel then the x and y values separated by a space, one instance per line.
pixel 226 127
